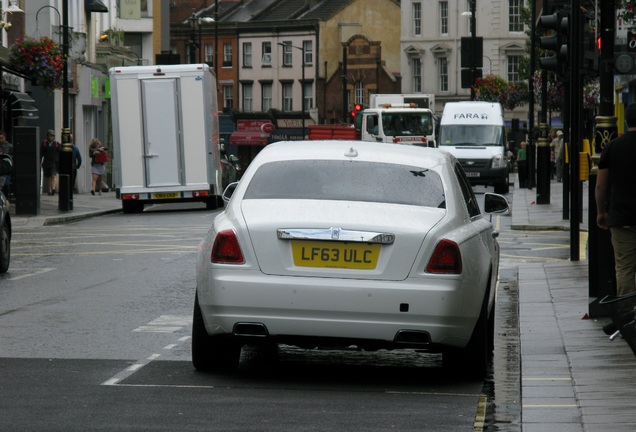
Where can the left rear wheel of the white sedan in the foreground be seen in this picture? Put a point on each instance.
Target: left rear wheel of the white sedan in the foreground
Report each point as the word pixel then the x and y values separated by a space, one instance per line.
pixel 211 353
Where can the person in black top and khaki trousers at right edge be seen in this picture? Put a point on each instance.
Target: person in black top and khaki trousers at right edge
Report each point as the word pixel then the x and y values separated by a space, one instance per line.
pixel 616 202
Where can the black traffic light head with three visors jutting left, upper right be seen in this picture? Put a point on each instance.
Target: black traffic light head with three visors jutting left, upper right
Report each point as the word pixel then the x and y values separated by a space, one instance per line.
pixel 557 26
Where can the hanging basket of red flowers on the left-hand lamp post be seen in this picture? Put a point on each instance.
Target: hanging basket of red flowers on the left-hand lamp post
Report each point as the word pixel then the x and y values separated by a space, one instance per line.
pixel 41 59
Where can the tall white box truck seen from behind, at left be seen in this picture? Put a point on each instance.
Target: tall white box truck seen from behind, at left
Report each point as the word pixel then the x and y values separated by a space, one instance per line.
pixel 165 135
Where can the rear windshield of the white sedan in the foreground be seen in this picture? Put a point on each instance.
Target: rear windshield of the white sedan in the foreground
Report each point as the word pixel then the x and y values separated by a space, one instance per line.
pixel 347 181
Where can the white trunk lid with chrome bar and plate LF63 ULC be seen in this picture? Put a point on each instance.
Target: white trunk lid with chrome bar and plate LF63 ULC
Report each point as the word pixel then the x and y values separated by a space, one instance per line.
pixel 319 238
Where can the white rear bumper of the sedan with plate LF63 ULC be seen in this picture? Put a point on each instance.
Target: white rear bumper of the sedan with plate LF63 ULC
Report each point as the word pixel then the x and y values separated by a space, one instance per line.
pixel 285 309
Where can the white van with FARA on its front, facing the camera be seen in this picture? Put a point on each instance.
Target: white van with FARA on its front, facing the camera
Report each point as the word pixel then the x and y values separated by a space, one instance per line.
pixel 475 133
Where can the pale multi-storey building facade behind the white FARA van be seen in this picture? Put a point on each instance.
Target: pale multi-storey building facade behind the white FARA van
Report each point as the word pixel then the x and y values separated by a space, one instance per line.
pixel 431 33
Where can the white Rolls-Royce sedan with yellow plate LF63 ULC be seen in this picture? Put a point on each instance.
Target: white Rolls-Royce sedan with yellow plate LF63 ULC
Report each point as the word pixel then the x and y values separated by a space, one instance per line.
pixel 349 243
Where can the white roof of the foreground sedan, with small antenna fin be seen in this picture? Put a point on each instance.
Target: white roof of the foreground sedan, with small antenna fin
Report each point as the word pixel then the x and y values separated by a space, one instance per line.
pixel 359 150
